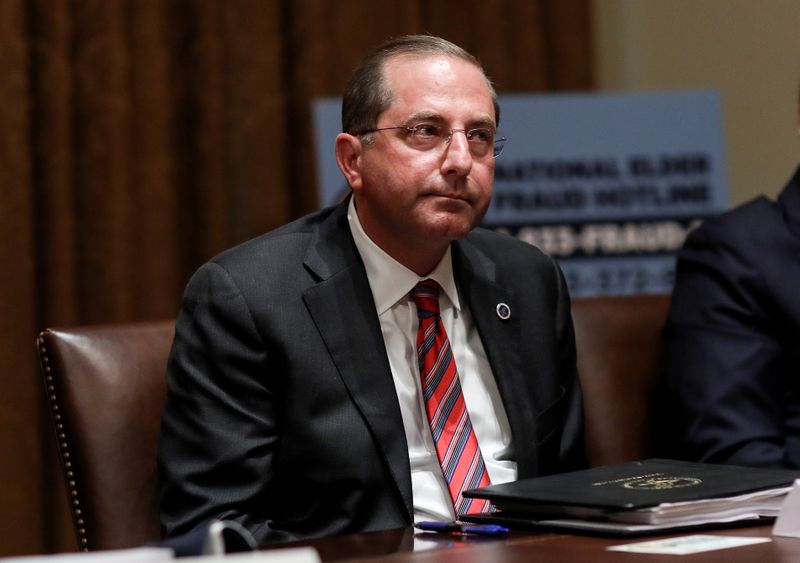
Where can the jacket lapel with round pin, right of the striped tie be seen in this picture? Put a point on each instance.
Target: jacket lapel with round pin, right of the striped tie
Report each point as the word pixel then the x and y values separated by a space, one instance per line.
pixel 476 275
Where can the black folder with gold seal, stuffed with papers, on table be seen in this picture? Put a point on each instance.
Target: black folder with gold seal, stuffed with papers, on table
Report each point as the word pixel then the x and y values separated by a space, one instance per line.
pixel 640 497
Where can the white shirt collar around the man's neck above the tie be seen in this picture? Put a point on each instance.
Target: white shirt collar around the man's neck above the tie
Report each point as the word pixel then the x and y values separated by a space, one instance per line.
pixel 389 280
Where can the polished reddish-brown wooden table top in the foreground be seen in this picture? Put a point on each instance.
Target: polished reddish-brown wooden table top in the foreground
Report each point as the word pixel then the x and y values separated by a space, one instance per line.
pixel 404 546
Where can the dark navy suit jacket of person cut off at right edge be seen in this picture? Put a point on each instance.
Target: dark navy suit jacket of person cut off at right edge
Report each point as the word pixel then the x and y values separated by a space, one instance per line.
pixel 733 338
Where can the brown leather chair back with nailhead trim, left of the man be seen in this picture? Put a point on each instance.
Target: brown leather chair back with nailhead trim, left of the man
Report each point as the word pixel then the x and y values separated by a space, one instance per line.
pixel 105 388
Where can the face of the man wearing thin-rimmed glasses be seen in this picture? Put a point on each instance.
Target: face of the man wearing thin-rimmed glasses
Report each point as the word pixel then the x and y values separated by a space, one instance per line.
pixel 414 200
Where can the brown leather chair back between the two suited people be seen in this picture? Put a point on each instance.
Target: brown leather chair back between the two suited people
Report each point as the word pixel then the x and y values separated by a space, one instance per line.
pixel 620 352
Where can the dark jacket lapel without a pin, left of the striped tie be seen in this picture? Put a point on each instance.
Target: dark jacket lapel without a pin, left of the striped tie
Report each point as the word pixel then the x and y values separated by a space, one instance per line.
pixel 343 310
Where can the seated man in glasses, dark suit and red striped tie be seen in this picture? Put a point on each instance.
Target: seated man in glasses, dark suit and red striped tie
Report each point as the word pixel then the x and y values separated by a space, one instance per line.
pixel 294 402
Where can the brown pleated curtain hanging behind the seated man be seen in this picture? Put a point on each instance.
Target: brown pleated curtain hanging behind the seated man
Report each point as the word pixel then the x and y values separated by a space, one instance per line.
pixel 138 138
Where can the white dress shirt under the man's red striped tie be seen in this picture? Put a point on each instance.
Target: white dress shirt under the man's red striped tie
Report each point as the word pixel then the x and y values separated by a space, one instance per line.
pixel 391 283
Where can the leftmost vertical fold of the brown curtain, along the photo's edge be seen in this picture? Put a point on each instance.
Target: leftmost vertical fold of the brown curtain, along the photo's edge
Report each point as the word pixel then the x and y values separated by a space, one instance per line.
pixel 23 497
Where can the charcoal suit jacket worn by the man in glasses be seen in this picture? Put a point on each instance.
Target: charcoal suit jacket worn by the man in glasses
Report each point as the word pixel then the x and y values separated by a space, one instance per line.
pixel 281 411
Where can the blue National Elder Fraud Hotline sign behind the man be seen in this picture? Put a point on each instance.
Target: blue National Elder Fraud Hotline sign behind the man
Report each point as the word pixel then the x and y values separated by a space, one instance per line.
pixel 609 184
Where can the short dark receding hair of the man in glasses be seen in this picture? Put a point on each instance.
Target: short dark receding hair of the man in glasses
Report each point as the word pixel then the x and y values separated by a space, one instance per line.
pixel 368 95
